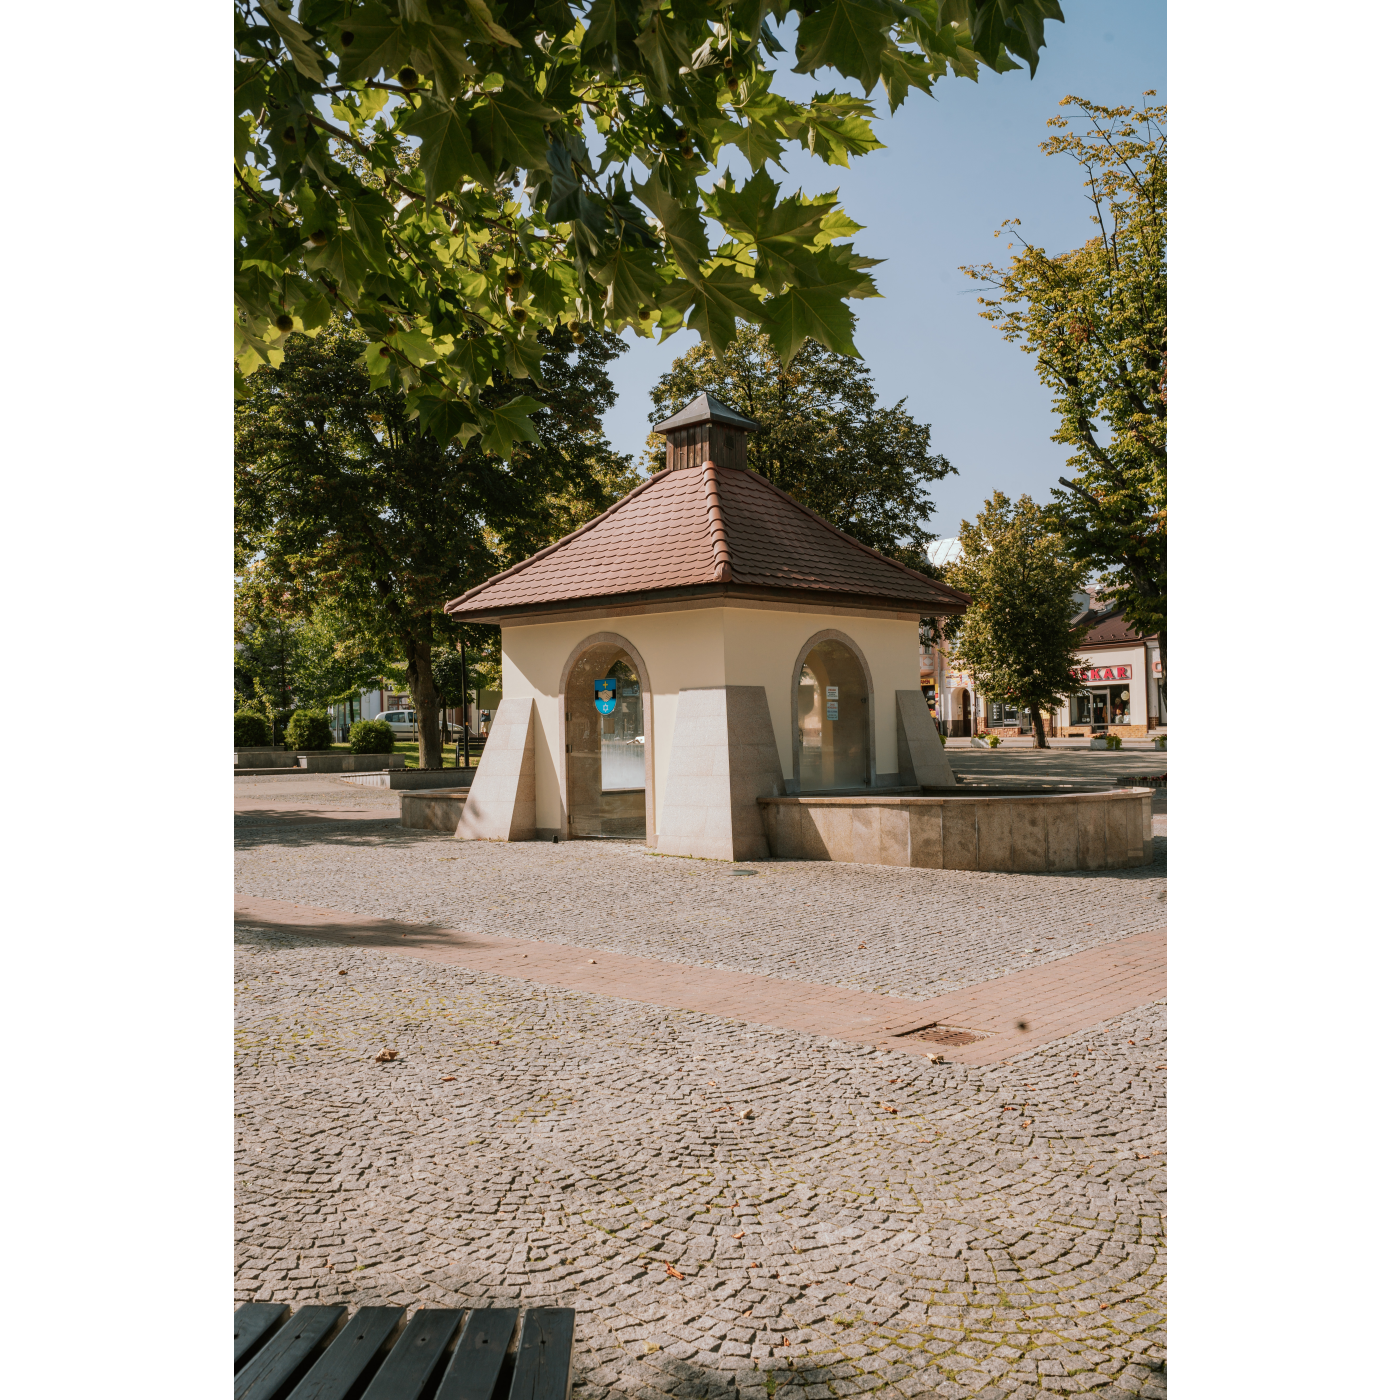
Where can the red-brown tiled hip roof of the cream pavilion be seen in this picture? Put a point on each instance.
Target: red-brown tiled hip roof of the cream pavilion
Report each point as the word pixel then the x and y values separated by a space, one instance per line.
pixel 709 527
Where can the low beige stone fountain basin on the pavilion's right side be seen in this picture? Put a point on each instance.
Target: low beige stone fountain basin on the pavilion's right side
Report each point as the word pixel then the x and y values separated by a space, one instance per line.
pixel 969 829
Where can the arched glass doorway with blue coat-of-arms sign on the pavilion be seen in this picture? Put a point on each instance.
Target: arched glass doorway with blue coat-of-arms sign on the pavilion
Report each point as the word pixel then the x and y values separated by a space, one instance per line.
pixel 605 737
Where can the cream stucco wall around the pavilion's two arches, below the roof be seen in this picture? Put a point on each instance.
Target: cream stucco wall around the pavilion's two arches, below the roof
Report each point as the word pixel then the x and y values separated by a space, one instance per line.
pixel 701 649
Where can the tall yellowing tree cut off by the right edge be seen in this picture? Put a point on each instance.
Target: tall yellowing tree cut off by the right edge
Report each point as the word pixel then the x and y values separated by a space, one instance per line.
pixel 1095 320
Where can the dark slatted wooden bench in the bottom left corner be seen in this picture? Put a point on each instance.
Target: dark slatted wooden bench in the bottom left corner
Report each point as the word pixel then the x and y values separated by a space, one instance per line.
pixel 320 1353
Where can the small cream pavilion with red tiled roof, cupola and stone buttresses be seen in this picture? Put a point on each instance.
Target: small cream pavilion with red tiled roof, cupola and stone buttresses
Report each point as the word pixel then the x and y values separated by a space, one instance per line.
pixel 703 643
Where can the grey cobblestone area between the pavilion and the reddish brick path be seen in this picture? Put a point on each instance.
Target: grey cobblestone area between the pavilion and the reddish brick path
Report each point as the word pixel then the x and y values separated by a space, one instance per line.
pixel 906 933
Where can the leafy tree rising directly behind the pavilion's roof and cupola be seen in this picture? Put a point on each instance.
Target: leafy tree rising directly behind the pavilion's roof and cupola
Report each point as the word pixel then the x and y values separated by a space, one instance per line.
pixel 822 437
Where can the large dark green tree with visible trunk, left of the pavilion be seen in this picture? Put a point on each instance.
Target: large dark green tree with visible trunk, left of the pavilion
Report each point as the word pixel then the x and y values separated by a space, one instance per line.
pixel 346 502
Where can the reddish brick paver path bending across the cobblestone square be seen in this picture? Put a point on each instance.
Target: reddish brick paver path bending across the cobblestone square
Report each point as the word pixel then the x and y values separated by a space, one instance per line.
pixel 1017 1013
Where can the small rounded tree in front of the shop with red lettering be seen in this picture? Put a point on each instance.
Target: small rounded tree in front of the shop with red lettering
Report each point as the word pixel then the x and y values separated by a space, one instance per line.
pixel 1017 636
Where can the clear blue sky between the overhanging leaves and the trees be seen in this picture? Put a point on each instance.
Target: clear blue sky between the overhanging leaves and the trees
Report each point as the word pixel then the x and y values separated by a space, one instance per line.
pixel 955 167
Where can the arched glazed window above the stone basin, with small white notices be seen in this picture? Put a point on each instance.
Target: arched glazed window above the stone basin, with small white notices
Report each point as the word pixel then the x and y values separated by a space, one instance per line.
pixel 831 719
